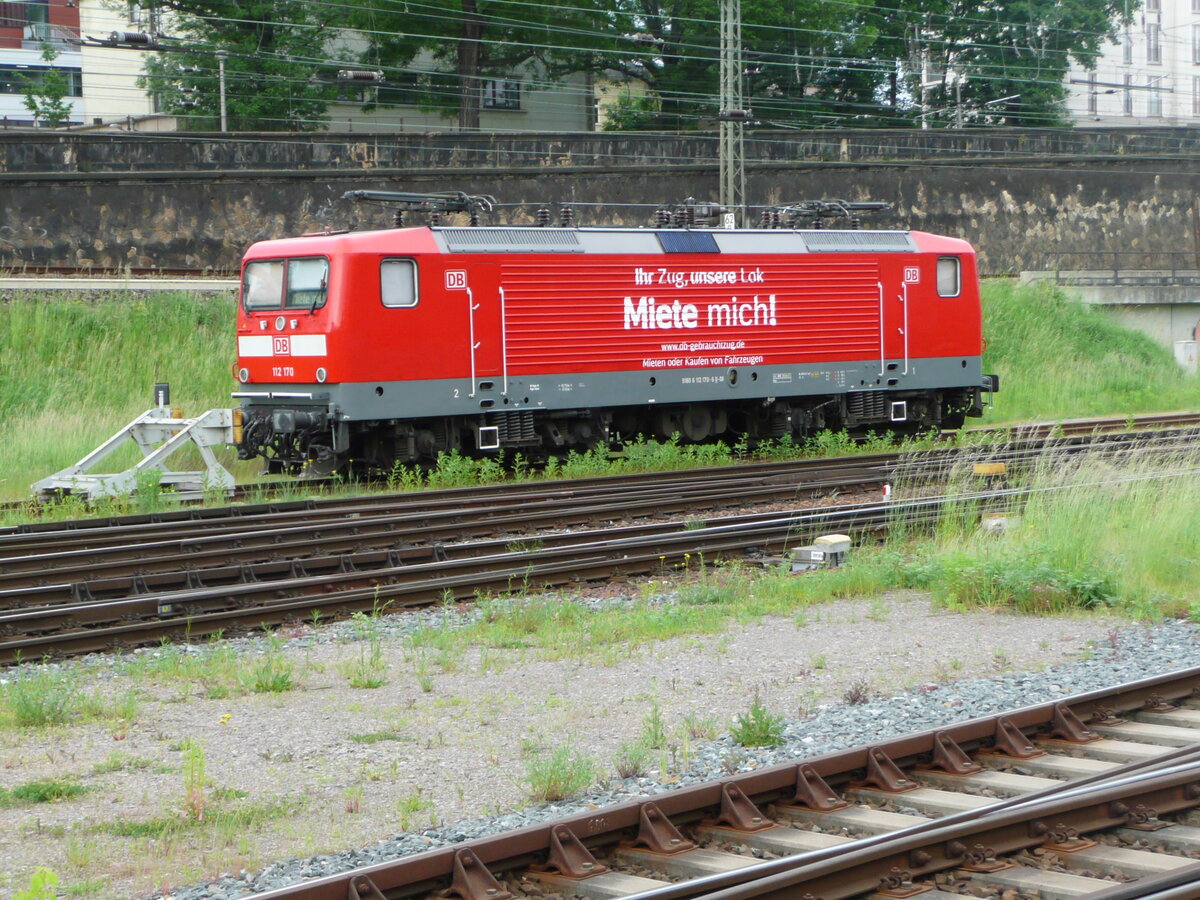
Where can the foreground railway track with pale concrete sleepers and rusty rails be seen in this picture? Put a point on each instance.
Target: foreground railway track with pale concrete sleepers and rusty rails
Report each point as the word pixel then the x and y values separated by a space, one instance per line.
pixel 1096 796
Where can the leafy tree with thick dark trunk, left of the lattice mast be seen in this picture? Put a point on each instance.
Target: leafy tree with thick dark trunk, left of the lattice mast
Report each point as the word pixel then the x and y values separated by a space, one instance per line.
pixel 484 40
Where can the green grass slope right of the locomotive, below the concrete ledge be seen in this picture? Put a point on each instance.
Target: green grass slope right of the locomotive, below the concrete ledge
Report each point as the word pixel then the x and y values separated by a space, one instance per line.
pixel 1060 359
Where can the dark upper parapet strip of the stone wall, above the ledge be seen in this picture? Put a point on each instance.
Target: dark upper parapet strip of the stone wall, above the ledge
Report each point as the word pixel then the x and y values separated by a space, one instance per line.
pixel 40 152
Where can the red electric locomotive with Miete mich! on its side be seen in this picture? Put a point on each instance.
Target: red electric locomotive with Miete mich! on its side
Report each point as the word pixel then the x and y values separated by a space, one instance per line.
pixel 373 347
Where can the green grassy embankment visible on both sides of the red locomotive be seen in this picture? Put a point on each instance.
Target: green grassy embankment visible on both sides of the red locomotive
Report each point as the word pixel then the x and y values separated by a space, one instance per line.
pixel 73 373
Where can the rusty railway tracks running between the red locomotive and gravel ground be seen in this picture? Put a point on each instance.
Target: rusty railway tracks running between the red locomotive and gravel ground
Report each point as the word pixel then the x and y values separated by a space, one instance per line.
pixel 118 589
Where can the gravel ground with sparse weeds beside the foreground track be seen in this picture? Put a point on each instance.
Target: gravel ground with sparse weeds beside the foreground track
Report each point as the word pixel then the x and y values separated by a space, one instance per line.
pixel 452 764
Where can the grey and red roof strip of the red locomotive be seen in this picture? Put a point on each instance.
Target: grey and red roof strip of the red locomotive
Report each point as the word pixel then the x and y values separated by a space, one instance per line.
pixel 532 239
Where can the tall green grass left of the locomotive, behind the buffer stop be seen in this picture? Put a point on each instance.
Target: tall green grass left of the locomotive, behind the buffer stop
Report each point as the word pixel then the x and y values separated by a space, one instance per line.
pixel 74 371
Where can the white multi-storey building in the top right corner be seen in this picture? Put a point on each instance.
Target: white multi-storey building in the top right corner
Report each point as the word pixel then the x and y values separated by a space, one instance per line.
pixel 1151 77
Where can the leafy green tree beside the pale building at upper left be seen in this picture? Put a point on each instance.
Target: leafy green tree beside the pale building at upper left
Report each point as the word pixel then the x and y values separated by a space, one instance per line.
pixel 278 73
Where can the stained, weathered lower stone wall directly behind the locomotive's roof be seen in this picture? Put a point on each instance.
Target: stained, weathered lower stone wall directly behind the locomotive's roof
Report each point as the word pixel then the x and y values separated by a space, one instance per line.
pixel 1019 214
